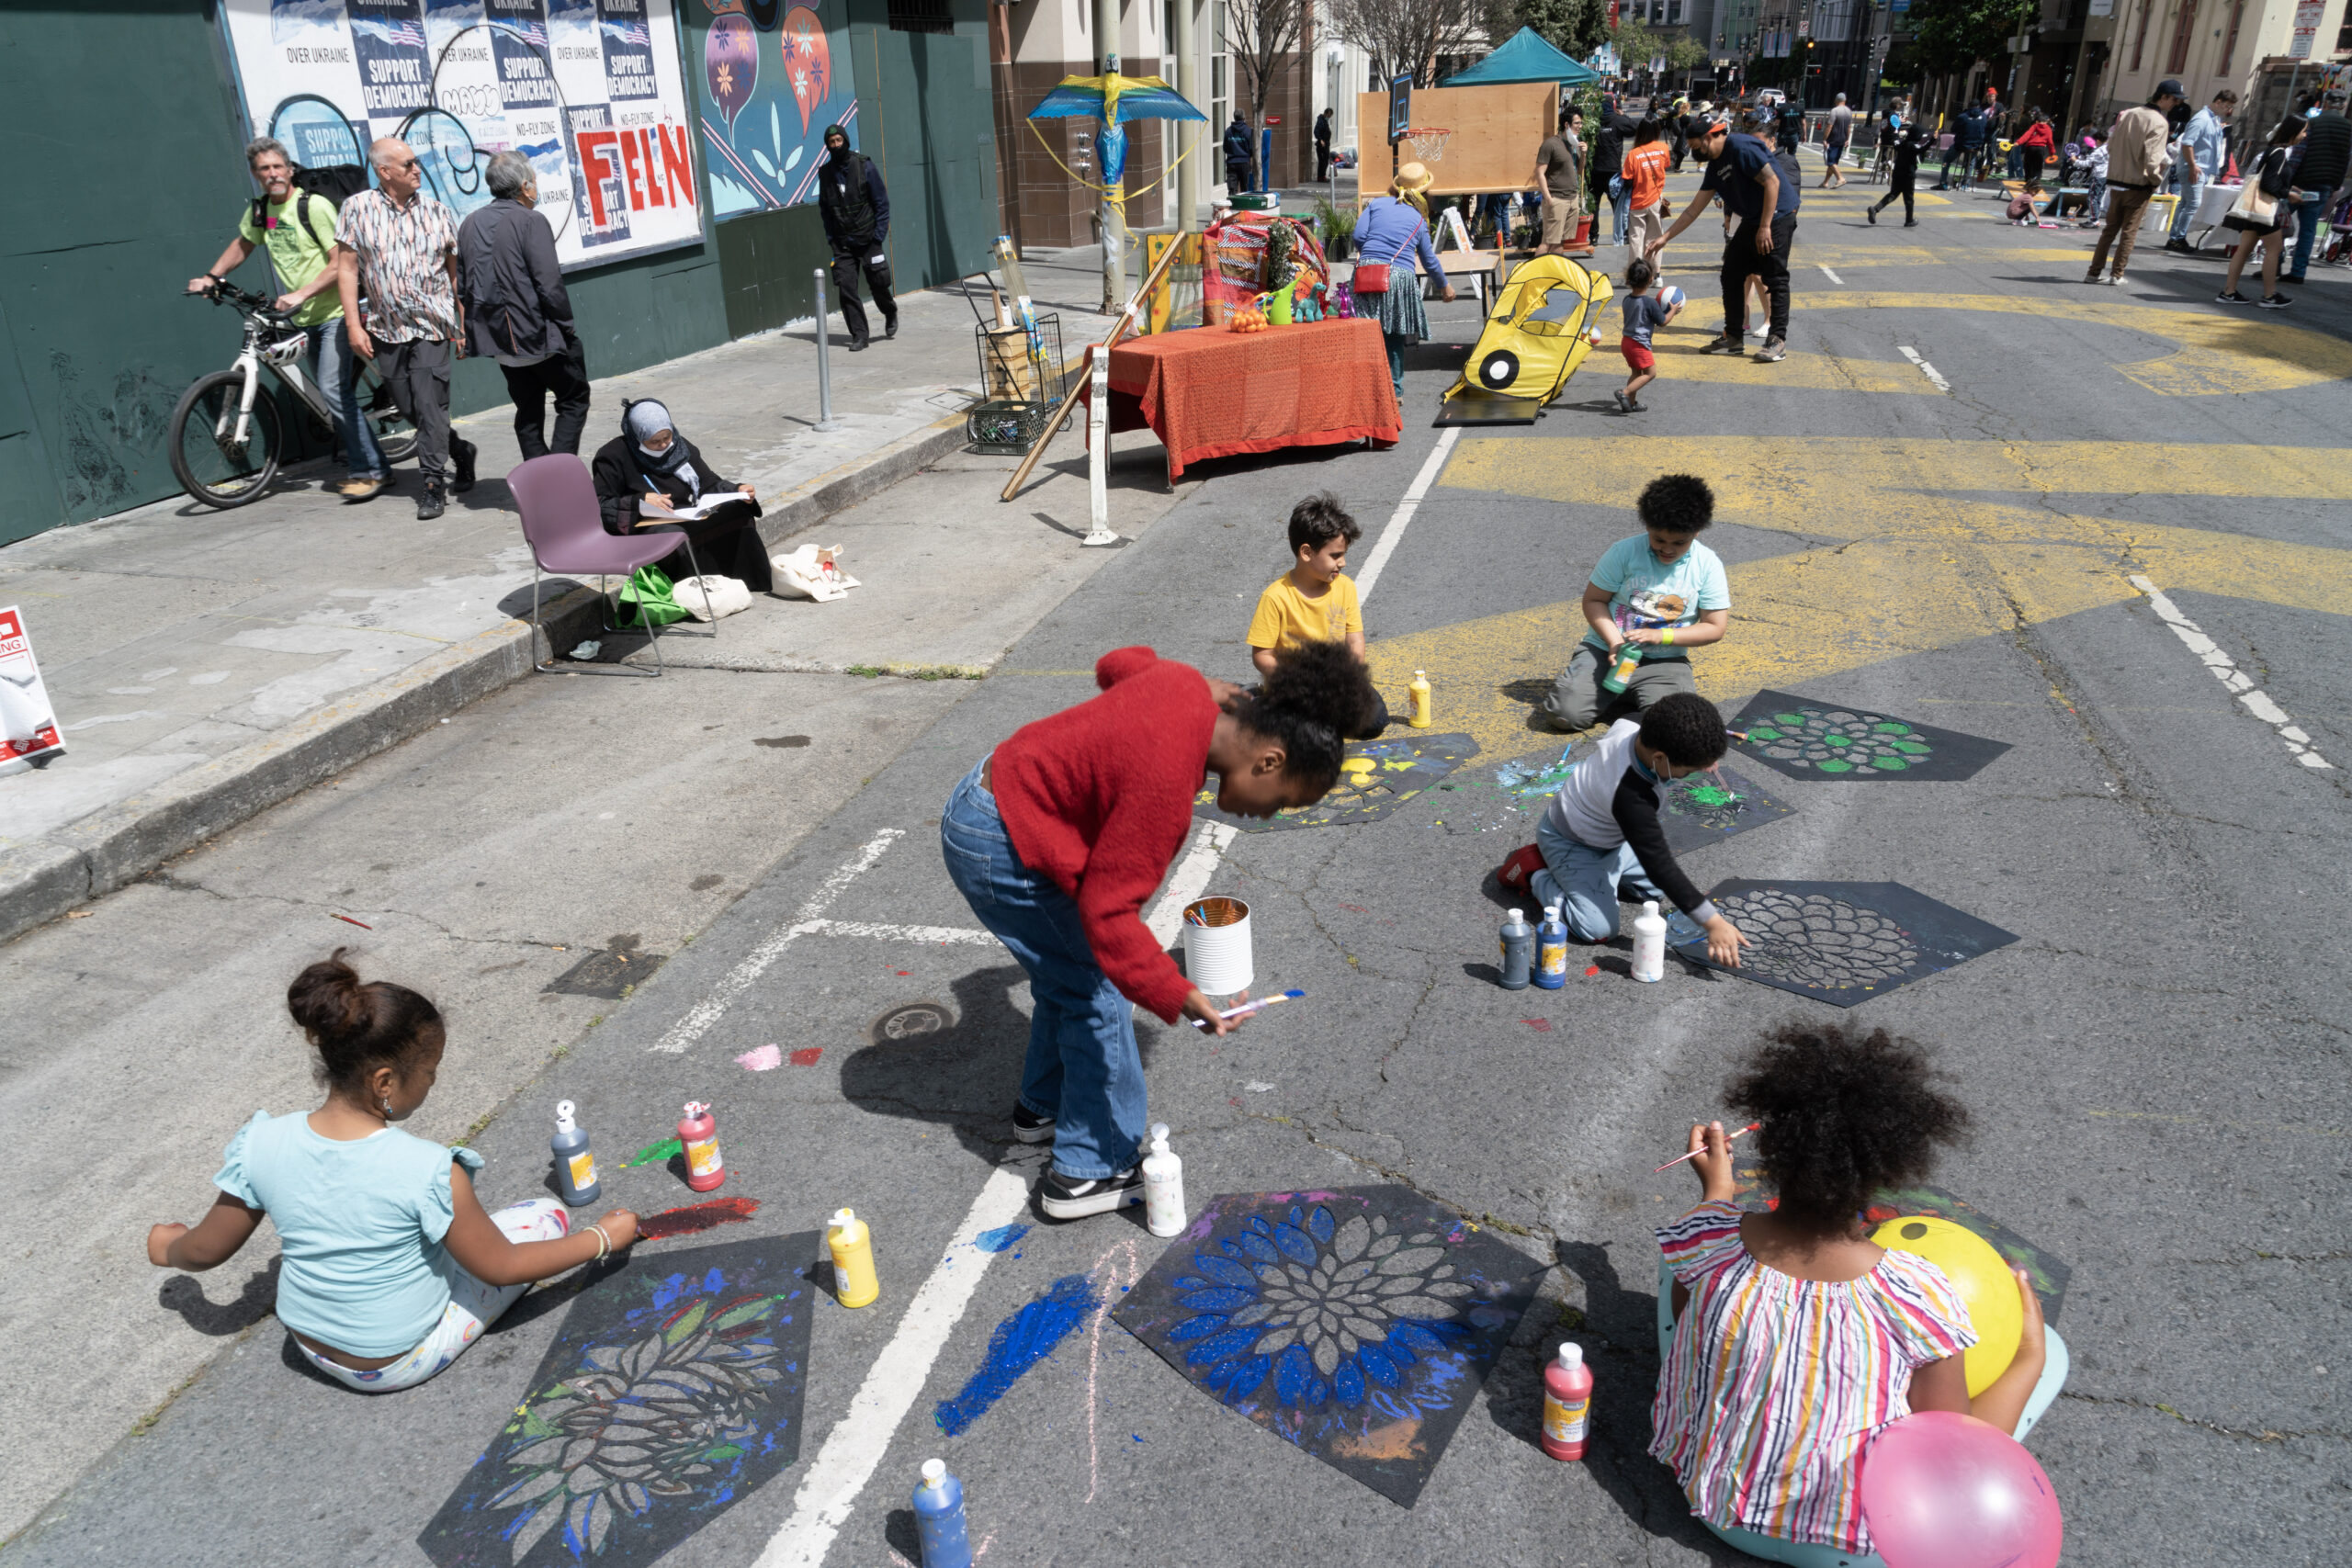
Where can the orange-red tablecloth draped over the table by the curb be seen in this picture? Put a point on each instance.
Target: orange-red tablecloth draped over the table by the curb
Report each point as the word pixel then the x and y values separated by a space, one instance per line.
pixel 1210 391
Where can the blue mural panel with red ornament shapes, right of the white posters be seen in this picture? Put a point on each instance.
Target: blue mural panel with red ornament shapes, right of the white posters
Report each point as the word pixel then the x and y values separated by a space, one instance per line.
pixel 775 76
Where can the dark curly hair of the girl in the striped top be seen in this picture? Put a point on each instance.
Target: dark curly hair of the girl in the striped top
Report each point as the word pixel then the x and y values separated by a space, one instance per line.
pixel 1845 1115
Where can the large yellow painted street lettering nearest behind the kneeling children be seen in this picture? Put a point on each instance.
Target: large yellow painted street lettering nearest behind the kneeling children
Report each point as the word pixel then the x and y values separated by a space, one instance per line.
pixel 1927 563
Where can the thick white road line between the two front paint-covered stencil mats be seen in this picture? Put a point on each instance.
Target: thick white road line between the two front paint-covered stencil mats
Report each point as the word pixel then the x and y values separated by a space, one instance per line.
pixel 829 1492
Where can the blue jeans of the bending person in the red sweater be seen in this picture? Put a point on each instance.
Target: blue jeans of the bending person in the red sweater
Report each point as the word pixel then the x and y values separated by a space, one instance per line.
pixel 1083 1066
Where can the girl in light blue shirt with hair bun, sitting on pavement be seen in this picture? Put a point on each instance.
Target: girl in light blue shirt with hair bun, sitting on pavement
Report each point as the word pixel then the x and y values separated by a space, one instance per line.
pixel 392 1266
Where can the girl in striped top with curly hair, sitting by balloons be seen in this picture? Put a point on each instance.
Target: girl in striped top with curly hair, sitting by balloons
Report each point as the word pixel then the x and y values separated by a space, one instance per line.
pixel 1796 1339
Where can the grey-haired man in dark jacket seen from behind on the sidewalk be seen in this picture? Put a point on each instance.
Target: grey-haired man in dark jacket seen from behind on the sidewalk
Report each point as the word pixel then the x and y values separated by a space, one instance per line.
pixel 519 311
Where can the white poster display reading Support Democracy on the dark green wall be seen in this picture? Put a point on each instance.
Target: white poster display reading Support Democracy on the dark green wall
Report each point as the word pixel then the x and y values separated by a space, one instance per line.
pixel 589 91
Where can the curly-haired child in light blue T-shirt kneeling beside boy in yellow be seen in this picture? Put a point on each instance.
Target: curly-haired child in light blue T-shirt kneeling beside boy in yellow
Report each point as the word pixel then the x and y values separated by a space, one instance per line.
pixel 1659 591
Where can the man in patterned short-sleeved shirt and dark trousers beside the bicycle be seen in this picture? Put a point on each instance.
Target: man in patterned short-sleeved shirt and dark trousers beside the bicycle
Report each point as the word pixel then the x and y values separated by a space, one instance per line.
pixel 399 250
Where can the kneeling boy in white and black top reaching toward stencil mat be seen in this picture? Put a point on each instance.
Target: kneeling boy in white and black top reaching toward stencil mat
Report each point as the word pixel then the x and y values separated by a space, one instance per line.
pixel 1603 831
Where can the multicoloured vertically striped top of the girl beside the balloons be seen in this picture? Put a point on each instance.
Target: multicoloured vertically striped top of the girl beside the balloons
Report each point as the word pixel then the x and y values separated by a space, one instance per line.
pixel 1775 1383
